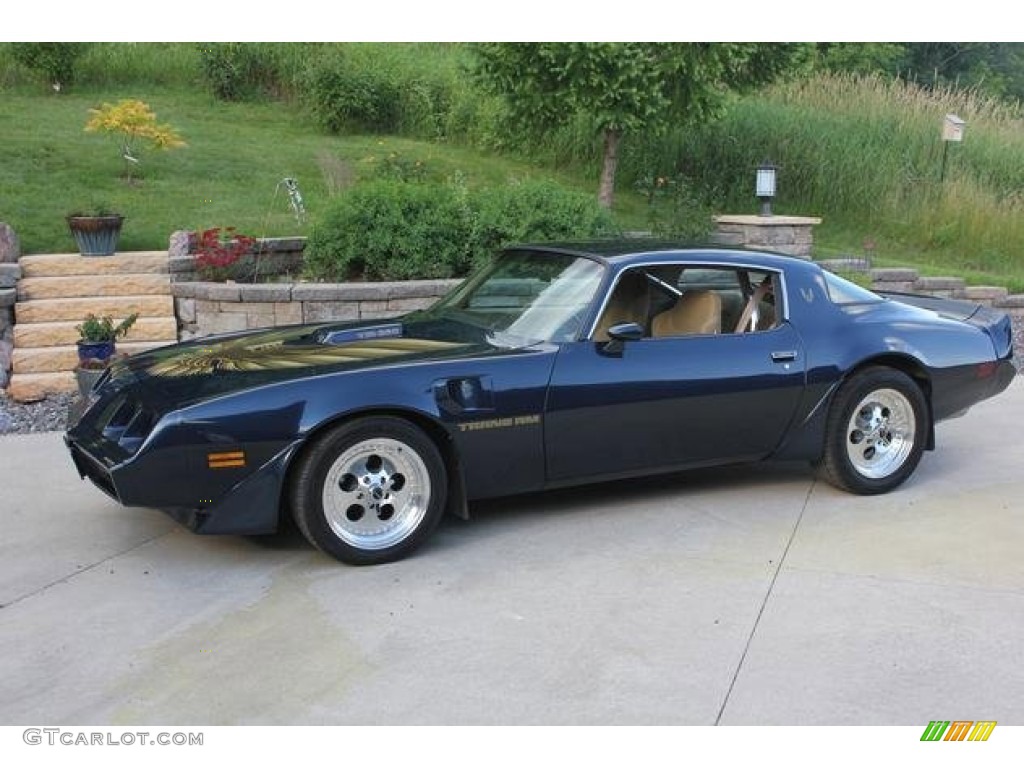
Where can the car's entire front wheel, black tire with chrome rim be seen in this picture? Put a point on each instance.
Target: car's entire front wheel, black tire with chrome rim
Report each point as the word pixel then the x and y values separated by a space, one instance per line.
pixel 370 491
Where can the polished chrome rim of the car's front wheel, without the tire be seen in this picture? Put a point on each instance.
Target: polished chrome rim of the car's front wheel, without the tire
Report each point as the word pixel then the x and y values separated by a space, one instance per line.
pixel 376 494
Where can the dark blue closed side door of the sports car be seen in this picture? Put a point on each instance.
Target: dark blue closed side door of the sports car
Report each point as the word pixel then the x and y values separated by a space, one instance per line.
pixel 678 400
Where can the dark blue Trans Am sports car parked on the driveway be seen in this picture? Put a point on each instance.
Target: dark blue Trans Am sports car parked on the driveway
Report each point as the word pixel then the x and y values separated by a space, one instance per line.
pixel 553 366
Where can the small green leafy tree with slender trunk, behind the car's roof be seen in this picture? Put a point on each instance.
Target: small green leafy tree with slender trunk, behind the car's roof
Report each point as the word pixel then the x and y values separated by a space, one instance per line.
pixel 625 89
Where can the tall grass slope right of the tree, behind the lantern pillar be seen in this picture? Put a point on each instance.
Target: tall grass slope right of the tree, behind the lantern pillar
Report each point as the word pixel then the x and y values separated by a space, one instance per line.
pixel 866 153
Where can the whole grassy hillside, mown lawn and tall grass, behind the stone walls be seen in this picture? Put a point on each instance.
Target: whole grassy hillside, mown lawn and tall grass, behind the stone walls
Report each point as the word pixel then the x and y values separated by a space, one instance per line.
pixel 862 153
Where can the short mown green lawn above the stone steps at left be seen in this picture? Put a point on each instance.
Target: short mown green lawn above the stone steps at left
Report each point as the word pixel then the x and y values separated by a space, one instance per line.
pixel 228 176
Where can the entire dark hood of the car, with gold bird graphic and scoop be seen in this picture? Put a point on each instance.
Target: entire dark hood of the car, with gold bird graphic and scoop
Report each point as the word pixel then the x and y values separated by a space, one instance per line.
pixel 185 374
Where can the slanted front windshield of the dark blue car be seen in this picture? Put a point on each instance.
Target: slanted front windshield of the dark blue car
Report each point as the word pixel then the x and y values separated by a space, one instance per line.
pixel 528 295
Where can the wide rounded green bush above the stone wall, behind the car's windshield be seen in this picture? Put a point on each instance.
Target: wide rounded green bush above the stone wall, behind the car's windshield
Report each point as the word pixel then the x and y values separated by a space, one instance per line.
pixel 390 230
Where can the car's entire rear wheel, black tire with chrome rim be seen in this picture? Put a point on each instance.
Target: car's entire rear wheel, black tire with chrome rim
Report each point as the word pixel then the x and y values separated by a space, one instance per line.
pixel 876 434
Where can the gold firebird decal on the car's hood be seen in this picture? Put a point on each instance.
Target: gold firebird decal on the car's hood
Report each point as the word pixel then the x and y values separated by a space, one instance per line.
pixel 269 352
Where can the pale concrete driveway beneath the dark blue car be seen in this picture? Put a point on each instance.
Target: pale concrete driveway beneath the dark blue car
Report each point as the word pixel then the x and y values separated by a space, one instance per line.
pixel 735 596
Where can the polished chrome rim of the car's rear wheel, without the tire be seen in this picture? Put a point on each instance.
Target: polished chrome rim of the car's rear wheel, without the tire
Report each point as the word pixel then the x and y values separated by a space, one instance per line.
pixel 881 434
